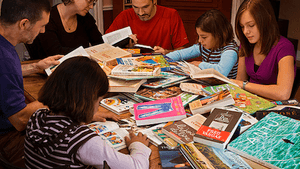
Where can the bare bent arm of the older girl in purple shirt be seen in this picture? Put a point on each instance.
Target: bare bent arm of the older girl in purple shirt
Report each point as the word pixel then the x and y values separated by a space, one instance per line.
pixel 279 91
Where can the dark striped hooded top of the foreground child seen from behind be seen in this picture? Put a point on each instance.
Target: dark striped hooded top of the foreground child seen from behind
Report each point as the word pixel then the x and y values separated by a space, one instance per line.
pixel 53 141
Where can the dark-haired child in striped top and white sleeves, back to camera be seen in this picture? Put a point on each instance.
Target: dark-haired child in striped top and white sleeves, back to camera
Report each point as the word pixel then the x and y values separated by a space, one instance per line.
pixel 59 137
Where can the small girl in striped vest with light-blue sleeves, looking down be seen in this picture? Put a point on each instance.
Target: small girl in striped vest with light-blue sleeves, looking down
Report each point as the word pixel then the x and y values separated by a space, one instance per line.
pixel 216 45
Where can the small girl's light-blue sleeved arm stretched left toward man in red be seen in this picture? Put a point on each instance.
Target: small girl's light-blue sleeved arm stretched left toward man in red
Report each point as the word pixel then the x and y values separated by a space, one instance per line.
pixel 185 54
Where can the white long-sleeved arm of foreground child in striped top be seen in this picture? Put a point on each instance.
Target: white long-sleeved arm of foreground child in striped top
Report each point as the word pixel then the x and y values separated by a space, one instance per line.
pixel 95 151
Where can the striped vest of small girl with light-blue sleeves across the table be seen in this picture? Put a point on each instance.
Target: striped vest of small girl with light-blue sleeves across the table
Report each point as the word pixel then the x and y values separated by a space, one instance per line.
pixel 214 57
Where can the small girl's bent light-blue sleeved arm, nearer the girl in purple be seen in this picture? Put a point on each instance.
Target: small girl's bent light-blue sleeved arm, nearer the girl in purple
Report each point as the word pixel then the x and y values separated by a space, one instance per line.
pixel 228 60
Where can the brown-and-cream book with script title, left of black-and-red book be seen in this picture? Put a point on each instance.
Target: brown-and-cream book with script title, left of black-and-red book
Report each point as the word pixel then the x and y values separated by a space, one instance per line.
pixel 184 130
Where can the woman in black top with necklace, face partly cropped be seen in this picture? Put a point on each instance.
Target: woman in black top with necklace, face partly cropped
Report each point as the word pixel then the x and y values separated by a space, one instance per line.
pixel 70 26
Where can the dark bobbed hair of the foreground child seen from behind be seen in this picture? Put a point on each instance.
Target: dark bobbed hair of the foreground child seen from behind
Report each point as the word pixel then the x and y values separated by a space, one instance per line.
pixel 73 88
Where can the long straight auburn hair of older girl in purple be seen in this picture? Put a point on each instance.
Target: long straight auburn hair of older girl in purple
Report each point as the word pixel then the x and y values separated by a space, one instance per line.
pixel 263 14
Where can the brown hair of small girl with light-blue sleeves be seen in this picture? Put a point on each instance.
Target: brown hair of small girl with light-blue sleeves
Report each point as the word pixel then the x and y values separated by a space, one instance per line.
pixel 213 21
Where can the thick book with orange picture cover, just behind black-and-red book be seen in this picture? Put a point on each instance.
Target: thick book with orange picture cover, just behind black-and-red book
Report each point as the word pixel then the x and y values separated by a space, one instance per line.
pixel 205 104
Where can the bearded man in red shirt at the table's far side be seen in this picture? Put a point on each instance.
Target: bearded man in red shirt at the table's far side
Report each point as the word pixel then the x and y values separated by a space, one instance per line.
pixel 152 25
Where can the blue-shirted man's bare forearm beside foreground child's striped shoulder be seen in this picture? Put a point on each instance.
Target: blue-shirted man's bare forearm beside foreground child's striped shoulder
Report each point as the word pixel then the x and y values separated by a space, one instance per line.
pixel 21 118
